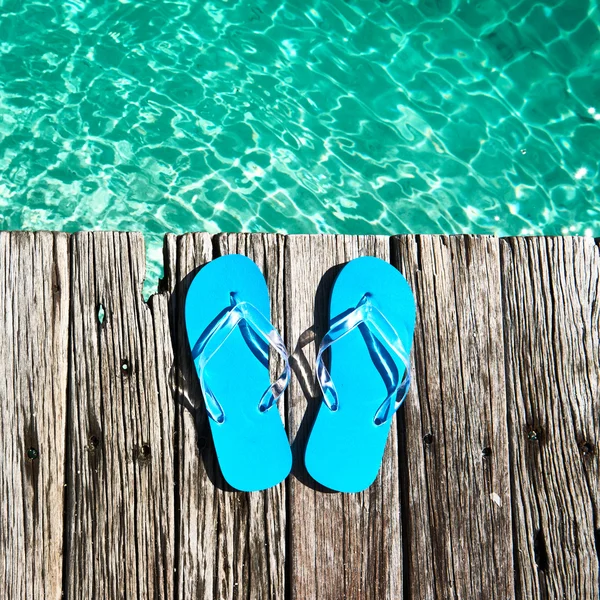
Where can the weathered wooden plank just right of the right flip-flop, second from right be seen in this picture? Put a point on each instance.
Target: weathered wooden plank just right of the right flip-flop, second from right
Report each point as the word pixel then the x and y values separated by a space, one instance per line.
pixel 455 459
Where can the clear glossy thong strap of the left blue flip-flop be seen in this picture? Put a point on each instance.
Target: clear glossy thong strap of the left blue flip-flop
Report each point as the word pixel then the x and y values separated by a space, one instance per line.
pixel 213 338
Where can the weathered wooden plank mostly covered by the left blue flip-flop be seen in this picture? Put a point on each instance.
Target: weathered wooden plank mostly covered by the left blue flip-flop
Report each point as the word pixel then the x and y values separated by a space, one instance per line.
pixel 232 544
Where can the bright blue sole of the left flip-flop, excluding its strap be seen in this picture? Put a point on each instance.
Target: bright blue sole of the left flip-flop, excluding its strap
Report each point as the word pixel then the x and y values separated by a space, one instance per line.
pixel 252 446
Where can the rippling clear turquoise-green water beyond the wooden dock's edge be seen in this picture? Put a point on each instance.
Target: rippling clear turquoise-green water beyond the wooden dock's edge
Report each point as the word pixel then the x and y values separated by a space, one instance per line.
pixel 352 116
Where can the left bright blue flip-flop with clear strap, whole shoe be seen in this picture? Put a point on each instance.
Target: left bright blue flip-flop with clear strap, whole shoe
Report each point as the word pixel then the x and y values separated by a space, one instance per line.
pixel 227 316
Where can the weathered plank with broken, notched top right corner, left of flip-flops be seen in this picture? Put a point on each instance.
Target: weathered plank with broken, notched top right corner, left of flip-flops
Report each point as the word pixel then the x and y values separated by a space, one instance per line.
pixel 120 524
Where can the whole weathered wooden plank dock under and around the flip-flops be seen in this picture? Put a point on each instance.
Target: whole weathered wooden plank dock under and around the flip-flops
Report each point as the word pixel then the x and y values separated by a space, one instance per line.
pixel 109 488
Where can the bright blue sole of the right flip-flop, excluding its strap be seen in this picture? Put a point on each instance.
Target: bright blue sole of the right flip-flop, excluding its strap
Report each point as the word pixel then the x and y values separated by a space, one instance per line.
pixel 345 447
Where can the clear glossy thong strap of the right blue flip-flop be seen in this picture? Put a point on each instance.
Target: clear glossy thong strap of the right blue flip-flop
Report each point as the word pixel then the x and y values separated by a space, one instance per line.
pixel 377 324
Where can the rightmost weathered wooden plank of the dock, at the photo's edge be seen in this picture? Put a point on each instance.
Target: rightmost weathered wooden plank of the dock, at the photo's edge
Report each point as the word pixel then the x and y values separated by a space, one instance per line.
pixel 551 294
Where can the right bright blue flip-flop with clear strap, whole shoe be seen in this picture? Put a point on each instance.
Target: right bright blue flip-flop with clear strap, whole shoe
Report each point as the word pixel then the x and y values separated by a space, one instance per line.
pixel 372 320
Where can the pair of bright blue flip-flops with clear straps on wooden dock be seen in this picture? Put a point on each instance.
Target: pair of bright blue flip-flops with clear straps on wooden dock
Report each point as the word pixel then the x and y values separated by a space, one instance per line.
pixel 372 318
